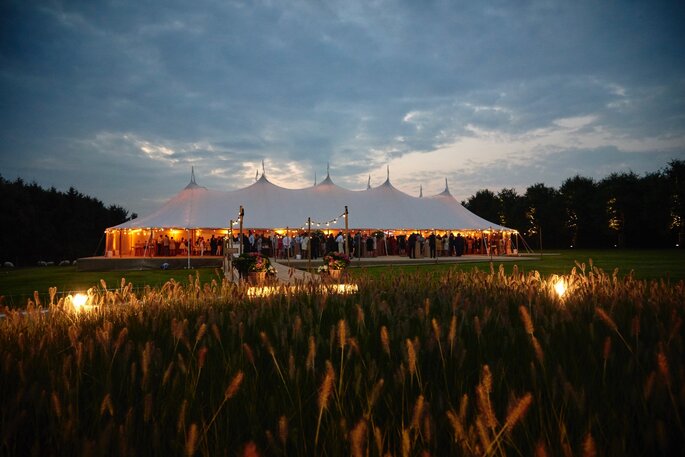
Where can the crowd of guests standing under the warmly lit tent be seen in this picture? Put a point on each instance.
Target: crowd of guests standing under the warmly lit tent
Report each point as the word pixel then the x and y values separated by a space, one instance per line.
pixel 316 244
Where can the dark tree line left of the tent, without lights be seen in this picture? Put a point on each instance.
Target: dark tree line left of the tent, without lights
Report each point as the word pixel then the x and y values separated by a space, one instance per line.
pixel 50 225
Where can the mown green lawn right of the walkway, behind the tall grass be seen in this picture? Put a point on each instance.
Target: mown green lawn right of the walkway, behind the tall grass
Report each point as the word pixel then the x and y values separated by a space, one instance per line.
pixel 668 264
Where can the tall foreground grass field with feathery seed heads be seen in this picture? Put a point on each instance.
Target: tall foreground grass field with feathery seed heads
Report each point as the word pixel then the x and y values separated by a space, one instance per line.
pixel 448 363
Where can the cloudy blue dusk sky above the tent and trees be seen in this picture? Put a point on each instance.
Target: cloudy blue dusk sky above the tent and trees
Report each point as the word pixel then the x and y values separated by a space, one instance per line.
pixel 119 99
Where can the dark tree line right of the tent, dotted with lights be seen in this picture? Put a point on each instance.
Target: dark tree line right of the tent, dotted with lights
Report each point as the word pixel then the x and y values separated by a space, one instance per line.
pixel 623 210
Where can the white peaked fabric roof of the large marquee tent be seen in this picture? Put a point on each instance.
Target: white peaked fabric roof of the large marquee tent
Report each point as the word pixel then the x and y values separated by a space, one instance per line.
pixel 268 206
